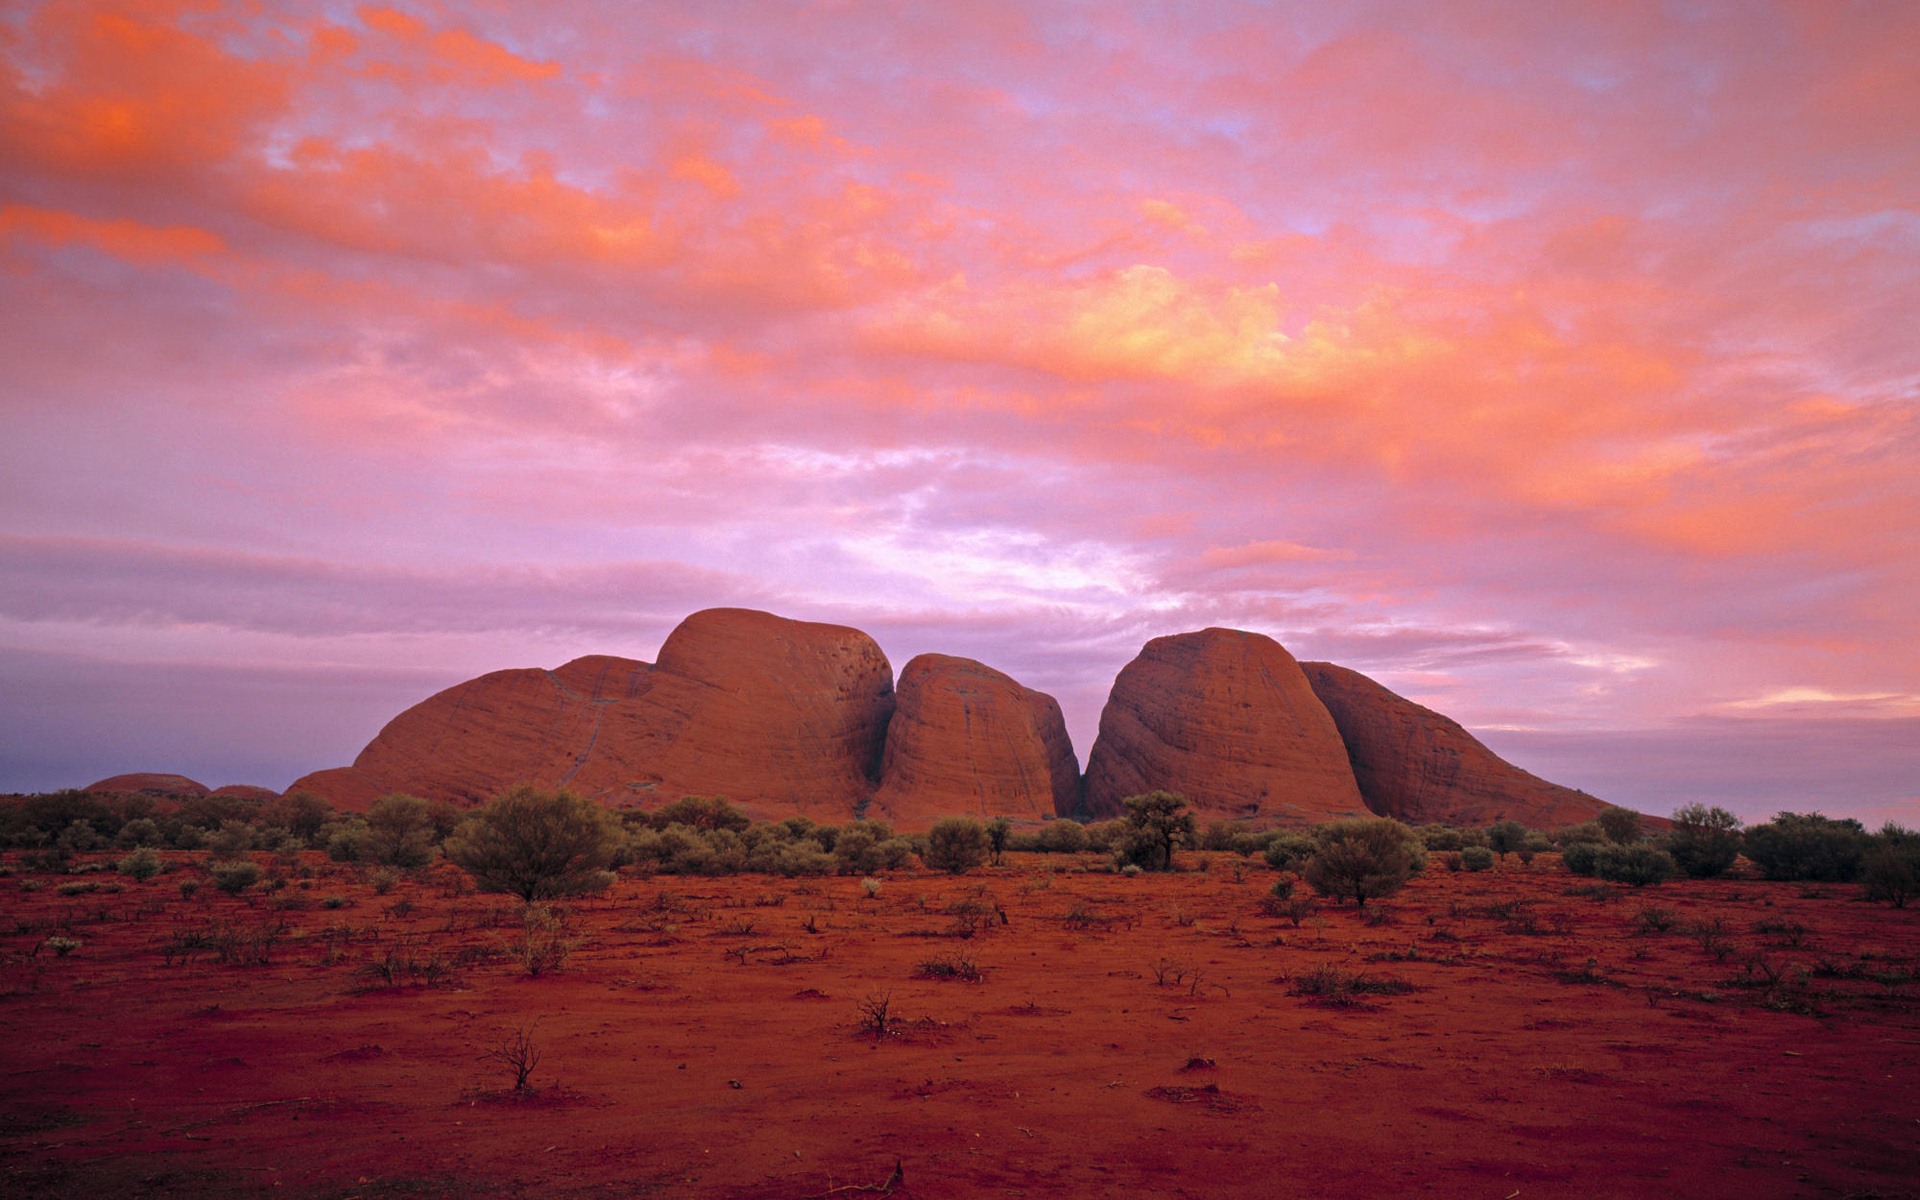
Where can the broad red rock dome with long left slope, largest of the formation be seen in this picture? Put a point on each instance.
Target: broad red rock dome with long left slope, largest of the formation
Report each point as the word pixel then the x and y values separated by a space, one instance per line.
pixel 780 715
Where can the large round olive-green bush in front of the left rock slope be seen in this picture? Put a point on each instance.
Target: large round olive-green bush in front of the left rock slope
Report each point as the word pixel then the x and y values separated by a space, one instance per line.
pixel 539 844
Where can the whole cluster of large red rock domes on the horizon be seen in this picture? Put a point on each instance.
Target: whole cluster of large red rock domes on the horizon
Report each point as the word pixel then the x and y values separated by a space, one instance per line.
pixel 796 717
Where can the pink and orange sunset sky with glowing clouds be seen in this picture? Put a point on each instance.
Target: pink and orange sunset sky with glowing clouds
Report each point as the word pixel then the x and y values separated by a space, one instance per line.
pixel 1554 366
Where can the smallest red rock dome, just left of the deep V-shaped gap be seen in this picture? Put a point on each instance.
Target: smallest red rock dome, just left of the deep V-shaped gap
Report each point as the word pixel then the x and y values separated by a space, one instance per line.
pixel 971 742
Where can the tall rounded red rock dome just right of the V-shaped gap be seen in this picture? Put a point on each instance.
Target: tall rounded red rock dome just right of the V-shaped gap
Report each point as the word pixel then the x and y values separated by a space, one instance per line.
pixel 1226 719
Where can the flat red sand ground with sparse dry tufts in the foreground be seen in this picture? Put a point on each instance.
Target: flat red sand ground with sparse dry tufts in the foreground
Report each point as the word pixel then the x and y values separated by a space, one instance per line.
pixel 1132 1036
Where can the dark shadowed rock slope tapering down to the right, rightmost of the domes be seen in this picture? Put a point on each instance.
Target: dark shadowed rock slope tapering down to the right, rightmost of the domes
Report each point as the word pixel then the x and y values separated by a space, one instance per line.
pixel 1422 767
